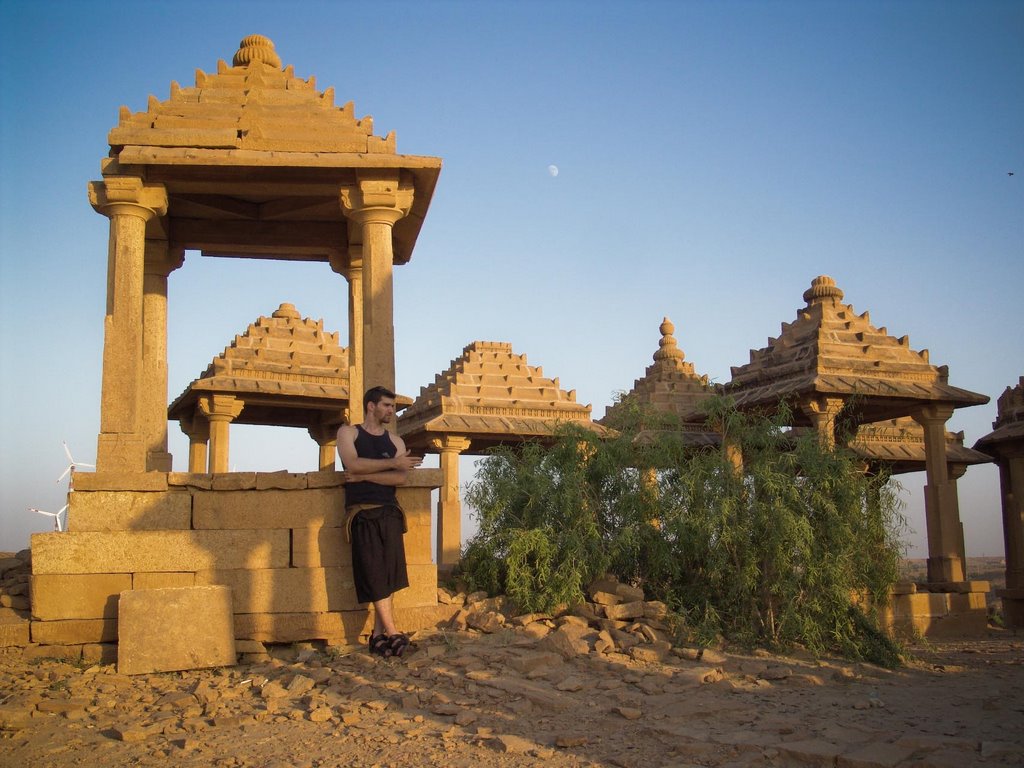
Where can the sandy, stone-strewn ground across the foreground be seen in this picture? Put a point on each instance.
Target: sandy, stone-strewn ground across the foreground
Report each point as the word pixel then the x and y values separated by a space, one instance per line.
pixel 466 700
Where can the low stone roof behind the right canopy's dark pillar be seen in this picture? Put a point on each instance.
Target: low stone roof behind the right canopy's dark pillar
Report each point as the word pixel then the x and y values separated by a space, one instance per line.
pixel 901 444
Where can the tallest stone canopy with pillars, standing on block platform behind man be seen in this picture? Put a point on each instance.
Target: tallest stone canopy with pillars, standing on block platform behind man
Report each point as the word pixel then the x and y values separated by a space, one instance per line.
pixel 250 162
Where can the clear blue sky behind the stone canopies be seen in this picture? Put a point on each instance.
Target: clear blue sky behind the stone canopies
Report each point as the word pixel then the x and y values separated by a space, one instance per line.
pixel 714 158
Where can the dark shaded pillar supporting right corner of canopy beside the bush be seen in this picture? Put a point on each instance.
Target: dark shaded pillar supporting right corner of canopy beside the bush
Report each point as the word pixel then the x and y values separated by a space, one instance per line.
pixel 945 564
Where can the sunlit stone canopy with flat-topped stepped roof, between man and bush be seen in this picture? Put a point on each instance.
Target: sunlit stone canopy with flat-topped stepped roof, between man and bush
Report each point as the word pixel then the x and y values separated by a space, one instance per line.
pixel 489 397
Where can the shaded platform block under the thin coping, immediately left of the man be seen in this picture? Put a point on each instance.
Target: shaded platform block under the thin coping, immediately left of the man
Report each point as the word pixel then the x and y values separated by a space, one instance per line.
pixel 268 509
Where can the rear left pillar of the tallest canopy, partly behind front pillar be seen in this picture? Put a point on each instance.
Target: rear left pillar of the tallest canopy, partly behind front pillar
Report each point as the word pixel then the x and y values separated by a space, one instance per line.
pixel 160 263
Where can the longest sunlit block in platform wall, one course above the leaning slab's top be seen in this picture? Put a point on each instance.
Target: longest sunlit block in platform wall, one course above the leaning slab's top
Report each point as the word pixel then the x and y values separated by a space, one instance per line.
pixel 132 551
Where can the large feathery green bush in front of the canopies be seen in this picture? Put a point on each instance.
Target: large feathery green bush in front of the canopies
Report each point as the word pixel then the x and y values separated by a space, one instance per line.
pixel 771 557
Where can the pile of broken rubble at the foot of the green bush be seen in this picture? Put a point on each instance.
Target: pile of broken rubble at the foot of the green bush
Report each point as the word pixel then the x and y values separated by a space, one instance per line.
pixel 618 619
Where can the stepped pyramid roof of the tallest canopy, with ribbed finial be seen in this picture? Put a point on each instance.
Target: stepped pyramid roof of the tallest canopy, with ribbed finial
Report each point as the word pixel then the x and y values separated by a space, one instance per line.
pixel 253 157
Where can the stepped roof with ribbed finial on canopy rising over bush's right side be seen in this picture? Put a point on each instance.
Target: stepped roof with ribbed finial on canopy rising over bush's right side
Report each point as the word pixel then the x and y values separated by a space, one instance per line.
pixel 831 351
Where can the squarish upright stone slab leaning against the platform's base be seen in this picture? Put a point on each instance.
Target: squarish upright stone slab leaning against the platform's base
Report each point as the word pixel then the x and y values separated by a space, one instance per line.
pixel 172 629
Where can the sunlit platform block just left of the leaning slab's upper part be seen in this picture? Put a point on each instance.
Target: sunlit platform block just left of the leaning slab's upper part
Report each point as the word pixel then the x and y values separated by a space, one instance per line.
pixel 57 596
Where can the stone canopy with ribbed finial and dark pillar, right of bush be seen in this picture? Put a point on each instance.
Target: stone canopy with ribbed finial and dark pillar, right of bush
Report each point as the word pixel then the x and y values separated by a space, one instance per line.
pixel 831 358
